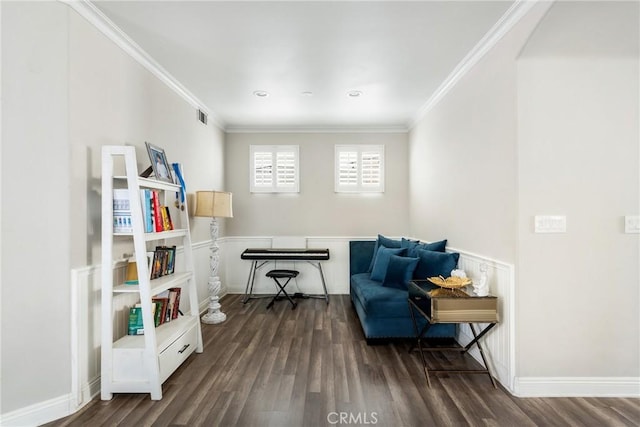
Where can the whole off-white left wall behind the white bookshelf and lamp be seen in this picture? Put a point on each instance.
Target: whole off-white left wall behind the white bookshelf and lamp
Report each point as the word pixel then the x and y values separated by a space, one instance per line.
pixel 67 90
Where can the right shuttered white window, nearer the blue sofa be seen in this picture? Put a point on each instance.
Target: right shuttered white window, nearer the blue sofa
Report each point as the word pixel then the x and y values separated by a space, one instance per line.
pixel 359 168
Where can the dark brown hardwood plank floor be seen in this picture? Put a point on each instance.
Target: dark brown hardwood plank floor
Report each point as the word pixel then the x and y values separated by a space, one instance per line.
pixel 312 367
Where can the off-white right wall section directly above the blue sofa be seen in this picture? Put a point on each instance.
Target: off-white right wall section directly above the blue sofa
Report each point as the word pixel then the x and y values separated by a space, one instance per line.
pixel 463 156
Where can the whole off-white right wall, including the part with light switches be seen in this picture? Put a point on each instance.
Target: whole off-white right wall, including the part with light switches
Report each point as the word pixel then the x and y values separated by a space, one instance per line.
pixel 547 123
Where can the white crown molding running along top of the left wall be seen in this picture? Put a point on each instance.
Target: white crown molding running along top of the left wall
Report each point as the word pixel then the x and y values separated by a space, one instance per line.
pixel 94 16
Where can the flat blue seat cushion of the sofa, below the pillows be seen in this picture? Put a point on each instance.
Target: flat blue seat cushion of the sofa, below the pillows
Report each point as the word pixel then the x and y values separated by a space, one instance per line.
pixel 378 300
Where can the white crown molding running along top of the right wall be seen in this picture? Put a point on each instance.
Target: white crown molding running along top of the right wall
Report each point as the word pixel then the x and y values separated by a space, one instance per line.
pixel 510 18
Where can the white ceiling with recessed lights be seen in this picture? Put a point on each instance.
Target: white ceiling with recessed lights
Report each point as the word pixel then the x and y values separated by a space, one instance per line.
pixel 396 53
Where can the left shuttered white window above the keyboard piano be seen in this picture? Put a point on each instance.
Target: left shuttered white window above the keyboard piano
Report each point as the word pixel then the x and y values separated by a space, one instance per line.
pixel 274 169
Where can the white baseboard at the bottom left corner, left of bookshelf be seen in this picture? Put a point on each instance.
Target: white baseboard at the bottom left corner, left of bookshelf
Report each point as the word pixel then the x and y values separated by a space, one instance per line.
pixel 39 413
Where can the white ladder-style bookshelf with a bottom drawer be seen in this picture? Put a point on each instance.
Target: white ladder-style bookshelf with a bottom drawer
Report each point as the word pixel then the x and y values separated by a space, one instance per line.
pixel 141 363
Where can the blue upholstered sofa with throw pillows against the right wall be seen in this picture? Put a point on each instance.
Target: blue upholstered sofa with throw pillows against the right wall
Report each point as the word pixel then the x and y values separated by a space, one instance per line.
pixel 382 307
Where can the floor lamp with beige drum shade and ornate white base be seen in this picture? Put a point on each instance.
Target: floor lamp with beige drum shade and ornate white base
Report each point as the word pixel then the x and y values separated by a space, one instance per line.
pixel 214 204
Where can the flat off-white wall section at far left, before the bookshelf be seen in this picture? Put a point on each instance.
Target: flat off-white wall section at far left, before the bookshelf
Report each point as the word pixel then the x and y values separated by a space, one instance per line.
pixel 35 209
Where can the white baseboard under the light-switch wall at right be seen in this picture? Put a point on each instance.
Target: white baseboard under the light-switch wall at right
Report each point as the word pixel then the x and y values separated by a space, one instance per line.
pixel 577 387
